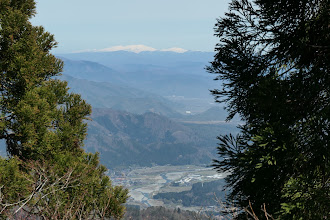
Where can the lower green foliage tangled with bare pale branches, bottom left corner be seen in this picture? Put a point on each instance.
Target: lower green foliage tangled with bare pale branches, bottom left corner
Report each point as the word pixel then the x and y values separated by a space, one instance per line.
pixel 66 187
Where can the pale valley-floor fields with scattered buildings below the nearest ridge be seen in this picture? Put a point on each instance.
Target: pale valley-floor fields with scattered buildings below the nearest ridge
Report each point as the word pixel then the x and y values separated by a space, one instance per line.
pixel 144 183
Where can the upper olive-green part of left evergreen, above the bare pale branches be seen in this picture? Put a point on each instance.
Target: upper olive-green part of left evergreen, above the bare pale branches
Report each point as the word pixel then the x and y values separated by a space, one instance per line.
pixel 32 124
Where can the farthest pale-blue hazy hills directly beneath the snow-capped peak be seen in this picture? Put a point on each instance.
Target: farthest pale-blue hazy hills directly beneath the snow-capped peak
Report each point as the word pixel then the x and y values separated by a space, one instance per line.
pixel 162 73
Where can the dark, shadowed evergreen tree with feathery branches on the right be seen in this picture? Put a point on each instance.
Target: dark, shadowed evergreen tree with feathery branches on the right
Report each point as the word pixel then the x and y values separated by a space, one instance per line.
pixel 274 59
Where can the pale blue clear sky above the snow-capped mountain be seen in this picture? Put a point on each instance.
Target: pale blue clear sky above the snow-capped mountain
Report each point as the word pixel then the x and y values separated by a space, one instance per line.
pixel 80 25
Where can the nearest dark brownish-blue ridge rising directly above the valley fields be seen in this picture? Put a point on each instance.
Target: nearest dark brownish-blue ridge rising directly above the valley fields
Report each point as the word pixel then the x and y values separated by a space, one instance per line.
pixel 126 139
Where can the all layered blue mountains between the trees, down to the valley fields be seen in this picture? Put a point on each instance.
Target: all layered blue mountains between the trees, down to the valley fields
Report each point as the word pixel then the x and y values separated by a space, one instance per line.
pixel 134 95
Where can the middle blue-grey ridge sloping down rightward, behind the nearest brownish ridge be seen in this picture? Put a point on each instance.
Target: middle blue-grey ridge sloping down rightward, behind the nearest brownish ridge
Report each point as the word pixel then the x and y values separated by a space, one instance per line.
pixel 108 95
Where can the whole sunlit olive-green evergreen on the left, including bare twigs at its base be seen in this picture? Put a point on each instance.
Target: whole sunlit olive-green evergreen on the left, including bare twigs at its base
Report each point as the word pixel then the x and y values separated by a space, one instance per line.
pixel 43 127
